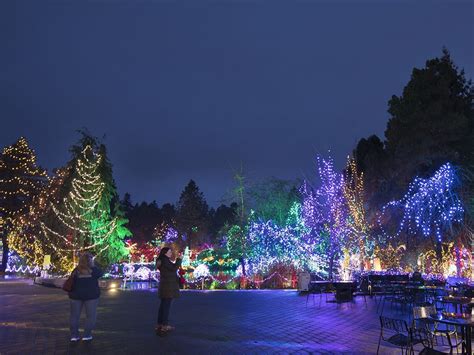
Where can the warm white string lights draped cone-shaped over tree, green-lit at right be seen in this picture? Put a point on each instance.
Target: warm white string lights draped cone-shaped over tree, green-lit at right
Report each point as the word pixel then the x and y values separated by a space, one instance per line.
pixel 80 221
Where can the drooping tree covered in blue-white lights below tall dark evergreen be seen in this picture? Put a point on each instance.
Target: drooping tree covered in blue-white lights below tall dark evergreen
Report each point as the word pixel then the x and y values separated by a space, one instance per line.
pixel 430 205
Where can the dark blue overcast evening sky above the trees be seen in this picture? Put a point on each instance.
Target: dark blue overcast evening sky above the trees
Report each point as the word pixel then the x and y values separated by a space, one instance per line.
pixel 191 89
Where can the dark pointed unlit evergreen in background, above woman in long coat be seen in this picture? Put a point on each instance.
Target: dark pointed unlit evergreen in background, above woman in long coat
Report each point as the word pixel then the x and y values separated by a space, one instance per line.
pixel 192 215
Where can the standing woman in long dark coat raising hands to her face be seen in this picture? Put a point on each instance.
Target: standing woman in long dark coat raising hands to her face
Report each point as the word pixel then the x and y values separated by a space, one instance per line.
pixel 168 289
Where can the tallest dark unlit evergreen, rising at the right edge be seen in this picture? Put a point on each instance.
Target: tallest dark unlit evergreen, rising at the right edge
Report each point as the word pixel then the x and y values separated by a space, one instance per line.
pixel 432 122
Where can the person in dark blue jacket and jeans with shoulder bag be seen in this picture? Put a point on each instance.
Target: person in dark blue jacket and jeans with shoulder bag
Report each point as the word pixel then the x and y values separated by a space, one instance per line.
pixel 85 294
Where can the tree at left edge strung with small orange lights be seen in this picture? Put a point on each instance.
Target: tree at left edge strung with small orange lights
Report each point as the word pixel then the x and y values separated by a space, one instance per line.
pixel 21 180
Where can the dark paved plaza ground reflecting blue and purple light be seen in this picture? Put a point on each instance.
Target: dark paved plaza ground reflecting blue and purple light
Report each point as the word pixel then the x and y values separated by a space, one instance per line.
pixel 34 320
